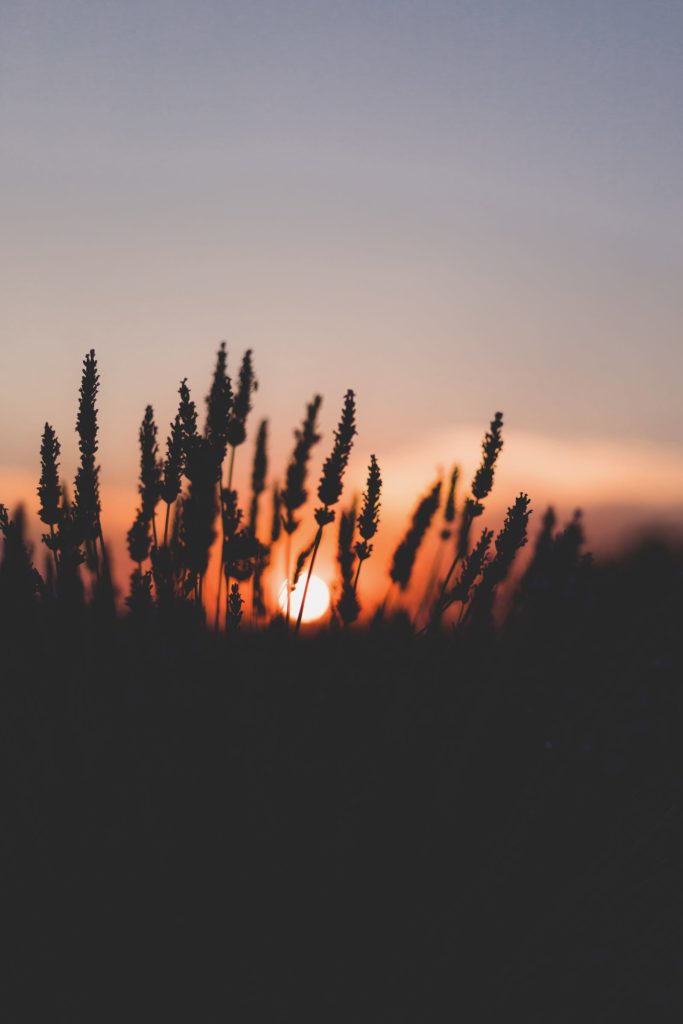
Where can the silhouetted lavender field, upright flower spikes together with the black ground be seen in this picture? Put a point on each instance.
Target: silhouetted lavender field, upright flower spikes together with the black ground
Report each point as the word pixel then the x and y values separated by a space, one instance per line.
pixel 469 808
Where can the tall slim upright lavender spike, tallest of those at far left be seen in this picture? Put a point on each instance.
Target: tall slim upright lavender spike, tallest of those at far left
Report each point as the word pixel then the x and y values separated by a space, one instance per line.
pixel 87 501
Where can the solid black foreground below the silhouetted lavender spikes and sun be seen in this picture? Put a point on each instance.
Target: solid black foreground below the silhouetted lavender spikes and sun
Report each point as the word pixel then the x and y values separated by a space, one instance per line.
pixel 355 828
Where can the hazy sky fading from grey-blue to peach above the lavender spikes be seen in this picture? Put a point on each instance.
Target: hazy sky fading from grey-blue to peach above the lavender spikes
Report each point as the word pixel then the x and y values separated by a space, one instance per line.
pixel 452 207
